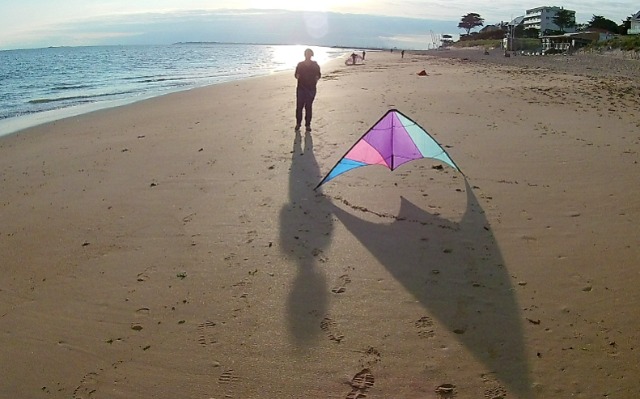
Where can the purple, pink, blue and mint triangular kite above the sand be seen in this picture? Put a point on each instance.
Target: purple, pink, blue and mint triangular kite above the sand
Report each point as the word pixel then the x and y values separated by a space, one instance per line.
pixel 392 141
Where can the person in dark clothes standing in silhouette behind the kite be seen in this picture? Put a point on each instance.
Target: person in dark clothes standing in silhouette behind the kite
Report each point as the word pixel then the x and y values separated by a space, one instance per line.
pixel 308 74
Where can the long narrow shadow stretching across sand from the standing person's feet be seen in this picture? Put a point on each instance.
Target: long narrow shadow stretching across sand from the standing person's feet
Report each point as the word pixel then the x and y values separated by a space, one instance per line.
pixel 305 232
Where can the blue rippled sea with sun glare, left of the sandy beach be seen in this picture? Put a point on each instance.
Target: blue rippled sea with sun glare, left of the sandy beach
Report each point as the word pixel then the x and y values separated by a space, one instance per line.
pixel 43 85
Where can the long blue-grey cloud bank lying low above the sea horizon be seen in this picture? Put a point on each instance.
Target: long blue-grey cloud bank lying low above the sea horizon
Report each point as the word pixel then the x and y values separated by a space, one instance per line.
pixel 247 26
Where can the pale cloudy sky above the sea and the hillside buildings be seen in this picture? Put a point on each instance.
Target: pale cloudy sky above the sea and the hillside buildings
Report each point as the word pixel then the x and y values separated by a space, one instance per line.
pixel 364 23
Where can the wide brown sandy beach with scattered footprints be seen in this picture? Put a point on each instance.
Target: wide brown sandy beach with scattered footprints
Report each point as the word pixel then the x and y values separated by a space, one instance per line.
pixel 175 248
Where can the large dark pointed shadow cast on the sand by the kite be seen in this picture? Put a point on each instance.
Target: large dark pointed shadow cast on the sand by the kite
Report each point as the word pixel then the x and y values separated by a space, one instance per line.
pixel 456 271
